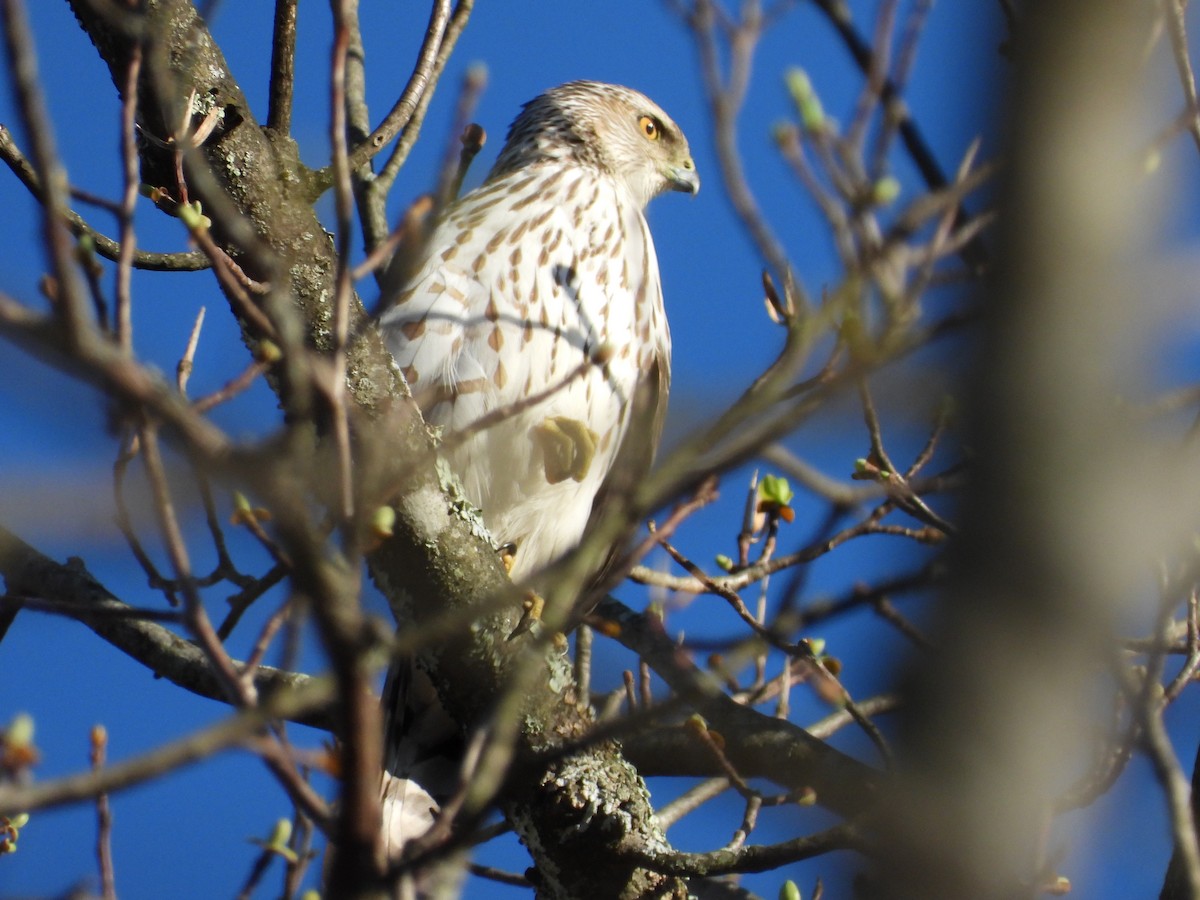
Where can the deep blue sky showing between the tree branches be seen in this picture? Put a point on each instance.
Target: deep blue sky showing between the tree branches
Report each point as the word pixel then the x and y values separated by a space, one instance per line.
pixel 56 455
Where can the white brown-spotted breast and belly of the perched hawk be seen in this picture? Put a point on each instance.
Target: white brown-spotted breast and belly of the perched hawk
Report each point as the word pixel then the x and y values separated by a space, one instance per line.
pixel 526 280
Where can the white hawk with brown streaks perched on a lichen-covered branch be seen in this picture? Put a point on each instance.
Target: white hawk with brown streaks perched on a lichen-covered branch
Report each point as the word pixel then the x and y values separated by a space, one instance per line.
pixel 544 281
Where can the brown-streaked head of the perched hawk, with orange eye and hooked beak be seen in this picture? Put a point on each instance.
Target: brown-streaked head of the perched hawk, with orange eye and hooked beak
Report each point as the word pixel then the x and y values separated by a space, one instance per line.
pixel 605 127
